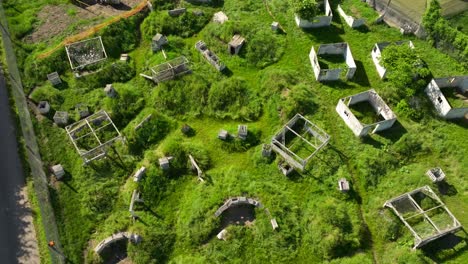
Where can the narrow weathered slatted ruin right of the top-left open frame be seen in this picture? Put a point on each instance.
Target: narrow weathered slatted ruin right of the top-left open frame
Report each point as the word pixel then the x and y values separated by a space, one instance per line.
pixel 169 70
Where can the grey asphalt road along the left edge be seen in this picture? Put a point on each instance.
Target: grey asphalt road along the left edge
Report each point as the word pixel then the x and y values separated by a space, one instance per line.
pixel 17 237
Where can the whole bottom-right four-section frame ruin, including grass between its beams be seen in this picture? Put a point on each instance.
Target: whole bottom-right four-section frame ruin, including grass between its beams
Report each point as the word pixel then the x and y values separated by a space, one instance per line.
pixel 424 214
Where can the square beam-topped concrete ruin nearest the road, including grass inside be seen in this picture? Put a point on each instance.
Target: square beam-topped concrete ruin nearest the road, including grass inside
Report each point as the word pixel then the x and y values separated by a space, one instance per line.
pixel 93 135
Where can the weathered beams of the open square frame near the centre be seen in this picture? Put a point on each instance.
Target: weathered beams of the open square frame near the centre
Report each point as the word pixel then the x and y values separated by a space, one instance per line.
pixel 278 141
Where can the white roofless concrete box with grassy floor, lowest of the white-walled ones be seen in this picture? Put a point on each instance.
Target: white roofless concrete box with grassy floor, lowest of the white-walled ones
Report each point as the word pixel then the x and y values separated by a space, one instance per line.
pixel 371 114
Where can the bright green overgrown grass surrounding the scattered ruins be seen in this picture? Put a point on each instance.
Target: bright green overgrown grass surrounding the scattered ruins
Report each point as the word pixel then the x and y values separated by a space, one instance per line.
pixel 318 224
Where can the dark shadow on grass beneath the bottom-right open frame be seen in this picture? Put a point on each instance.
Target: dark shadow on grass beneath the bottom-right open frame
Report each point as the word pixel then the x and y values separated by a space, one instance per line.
pixel 446 248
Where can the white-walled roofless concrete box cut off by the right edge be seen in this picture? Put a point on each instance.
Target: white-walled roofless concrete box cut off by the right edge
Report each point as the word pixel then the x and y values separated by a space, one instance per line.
pixel 456 87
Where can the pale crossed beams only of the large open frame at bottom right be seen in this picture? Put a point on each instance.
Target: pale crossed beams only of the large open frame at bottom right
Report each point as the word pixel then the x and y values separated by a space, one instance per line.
pixel 438 232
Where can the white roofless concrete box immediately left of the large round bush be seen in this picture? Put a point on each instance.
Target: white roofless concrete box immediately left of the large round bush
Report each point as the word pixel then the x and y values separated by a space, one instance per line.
pixel 333 51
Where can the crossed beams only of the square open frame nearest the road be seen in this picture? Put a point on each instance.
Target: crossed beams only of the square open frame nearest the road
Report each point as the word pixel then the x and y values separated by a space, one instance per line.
pixel 100 150
